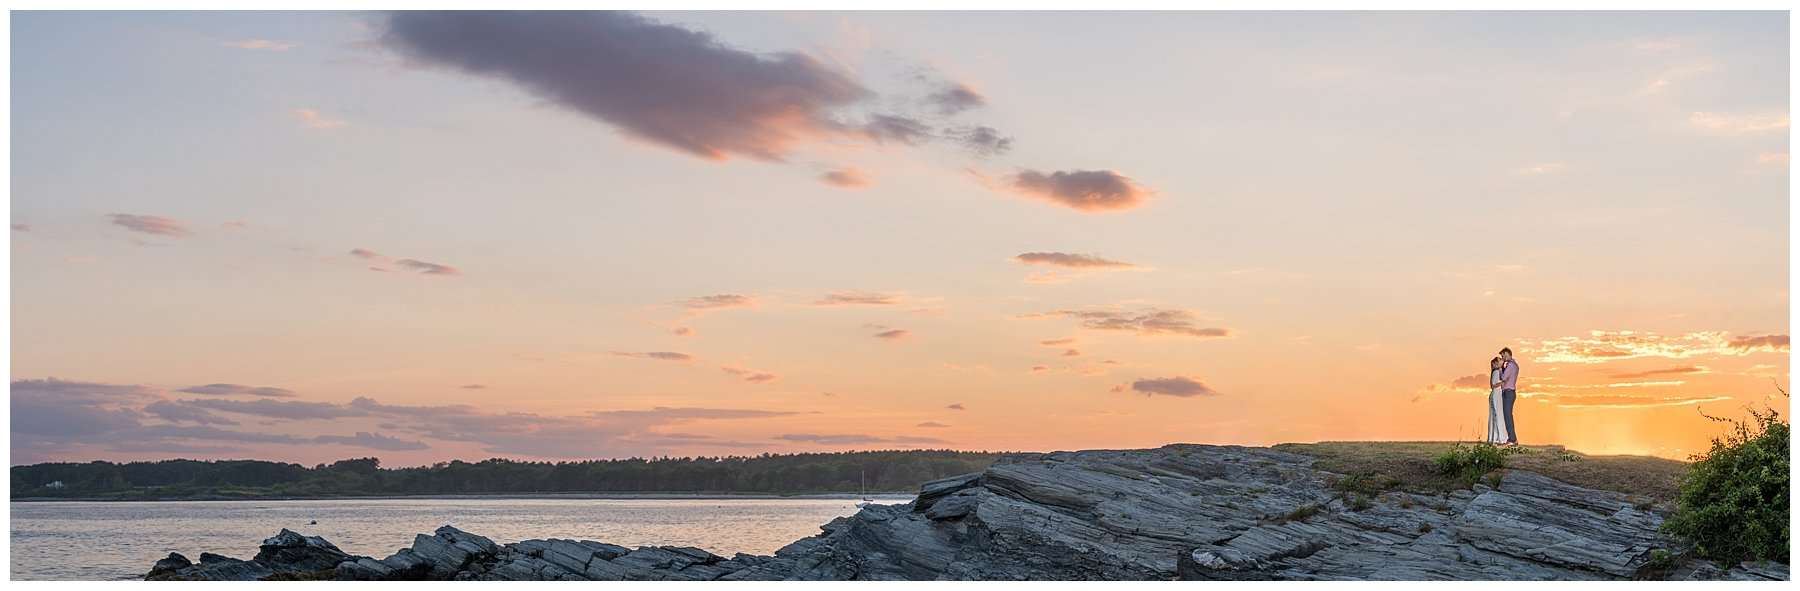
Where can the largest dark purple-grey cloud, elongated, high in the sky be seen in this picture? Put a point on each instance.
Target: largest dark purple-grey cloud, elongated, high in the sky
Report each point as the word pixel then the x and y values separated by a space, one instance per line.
pixel 663 84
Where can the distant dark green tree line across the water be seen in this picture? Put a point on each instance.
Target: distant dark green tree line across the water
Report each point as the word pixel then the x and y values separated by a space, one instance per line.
pixel 886 471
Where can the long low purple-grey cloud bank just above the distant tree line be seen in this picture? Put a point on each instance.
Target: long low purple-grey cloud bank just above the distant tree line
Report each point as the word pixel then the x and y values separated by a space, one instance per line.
pixel 58 421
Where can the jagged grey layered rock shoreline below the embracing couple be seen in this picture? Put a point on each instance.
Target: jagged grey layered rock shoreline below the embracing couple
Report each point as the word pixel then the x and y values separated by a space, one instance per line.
pixel 1192 513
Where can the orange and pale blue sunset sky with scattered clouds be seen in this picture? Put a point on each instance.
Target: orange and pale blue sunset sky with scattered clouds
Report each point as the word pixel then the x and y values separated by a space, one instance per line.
pixel 433 237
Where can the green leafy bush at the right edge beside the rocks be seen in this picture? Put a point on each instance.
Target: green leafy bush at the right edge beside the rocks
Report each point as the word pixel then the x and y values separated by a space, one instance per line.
pixel 1734 498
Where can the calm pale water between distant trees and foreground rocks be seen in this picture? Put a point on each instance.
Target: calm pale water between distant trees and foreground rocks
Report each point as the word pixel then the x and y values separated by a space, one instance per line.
pixel 102 541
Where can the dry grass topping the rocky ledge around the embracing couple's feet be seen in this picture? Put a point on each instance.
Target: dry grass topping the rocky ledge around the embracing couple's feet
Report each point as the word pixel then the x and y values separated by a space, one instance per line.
pixel 1410 464
